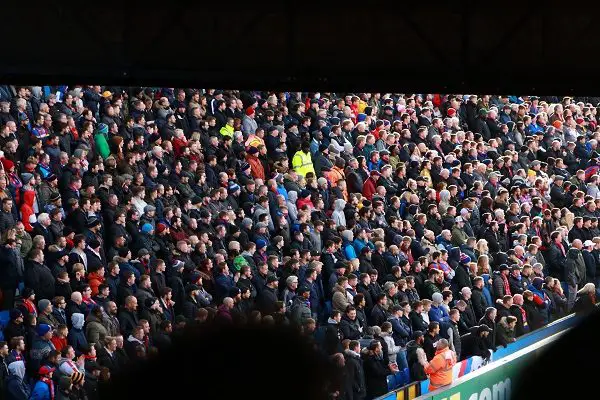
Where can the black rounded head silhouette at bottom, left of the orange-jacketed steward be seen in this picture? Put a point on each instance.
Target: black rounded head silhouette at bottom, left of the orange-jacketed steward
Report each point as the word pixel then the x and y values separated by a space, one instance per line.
pixel 223 362
